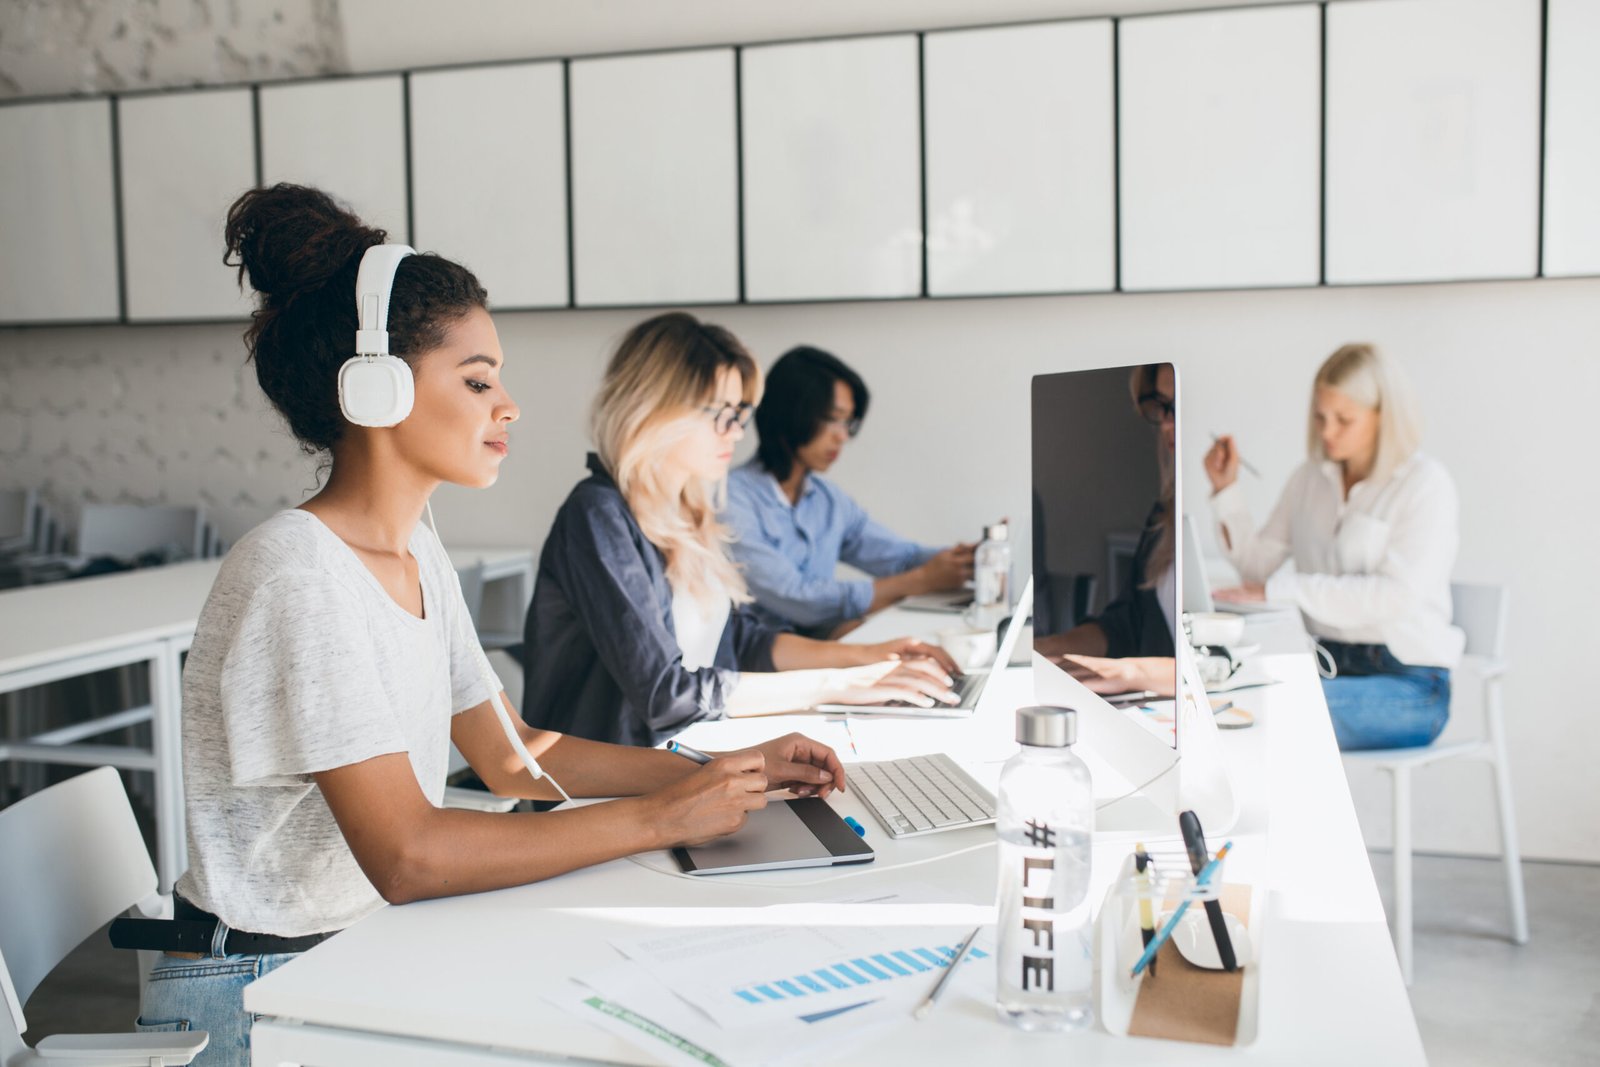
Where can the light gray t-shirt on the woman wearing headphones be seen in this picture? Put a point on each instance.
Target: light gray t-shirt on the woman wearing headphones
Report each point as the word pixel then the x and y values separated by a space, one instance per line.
pixel 303 663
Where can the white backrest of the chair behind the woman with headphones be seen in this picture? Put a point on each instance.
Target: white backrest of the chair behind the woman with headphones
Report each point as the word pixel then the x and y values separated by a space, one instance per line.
pixel 73 861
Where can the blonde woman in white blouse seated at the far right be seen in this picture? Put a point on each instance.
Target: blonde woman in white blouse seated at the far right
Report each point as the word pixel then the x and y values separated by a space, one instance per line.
pixel 1372 529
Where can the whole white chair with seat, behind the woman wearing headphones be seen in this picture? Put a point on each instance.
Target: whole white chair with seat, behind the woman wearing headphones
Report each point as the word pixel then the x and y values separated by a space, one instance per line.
pixel 74 860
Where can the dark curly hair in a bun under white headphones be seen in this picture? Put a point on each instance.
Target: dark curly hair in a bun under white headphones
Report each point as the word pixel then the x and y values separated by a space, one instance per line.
pixel 302 252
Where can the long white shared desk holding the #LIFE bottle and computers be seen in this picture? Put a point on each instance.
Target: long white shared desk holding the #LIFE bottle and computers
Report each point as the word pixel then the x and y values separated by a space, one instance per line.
pixel 457 980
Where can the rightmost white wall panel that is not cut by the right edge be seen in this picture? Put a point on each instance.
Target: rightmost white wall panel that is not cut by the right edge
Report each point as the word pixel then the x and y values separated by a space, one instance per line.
pixel 1433 140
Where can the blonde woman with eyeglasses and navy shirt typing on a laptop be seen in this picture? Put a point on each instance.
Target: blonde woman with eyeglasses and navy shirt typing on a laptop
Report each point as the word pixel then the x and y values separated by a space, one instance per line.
pixel 639 623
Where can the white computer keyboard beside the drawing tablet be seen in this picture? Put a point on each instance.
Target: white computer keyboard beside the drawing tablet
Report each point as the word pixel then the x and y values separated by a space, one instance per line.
pixel 921 794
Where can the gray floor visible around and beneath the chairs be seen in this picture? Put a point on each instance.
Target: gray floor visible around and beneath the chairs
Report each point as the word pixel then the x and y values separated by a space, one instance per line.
pixel 1478 997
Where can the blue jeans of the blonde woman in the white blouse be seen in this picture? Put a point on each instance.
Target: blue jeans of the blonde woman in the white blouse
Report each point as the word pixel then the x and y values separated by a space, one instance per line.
pixel 1388 705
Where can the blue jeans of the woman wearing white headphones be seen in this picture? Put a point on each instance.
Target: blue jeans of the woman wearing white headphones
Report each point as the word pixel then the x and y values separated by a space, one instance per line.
pixel 207 994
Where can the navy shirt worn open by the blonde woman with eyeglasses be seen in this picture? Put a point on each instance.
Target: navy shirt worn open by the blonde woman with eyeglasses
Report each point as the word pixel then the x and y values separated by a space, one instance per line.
pixel 602 655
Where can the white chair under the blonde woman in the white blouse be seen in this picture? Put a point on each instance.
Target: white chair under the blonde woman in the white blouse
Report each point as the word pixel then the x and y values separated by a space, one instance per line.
pixel 1481 613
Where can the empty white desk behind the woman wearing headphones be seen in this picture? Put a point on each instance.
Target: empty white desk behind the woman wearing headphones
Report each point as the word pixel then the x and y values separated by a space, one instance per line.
pixel 76 628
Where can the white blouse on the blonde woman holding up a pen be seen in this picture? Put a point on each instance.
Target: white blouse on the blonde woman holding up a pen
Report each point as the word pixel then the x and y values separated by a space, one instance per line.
pixel 1370 570
